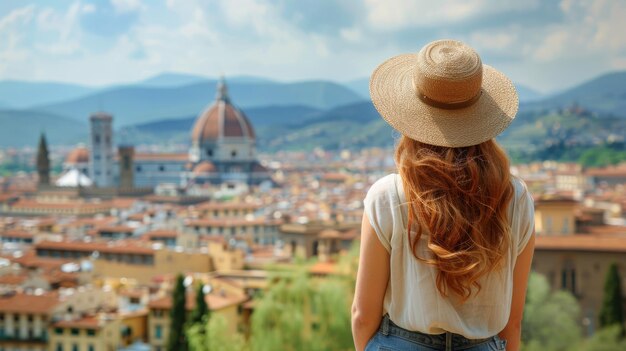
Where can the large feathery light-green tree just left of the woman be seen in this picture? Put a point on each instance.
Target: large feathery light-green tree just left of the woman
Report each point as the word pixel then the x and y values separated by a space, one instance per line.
pixel 302 313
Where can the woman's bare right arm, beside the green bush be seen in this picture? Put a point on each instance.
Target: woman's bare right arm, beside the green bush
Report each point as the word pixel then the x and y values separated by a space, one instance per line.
pixel 513 330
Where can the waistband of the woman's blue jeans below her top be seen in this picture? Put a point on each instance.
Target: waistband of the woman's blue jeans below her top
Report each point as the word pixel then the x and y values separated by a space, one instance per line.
pixel 447 340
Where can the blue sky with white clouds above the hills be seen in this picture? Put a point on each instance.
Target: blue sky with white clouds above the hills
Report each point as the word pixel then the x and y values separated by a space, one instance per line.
pixel 547 45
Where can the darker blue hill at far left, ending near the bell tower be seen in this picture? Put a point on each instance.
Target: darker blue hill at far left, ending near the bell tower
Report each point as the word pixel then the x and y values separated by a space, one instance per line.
pixel 22 128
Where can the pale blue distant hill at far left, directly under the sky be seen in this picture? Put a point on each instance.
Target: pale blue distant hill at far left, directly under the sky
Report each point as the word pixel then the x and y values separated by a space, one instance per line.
pixel 18 94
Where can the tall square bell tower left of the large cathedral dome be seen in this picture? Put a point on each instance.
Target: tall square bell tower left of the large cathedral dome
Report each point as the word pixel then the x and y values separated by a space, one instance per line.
pixel 101 155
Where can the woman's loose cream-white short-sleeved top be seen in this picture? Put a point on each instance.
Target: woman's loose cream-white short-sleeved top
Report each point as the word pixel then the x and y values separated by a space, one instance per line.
pixel 412 299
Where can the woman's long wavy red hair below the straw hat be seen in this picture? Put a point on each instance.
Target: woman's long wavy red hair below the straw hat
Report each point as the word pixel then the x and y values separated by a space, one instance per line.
pixel 459 197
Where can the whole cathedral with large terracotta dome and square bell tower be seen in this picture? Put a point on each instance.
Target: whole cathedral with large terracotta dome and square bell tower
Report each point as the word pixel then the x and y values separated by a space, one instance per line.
pixel 223 151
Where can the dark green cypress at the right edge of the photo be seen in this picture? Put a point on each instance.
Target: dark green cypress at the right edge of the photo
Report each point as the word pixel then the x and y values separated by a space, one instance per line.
pixel 612 311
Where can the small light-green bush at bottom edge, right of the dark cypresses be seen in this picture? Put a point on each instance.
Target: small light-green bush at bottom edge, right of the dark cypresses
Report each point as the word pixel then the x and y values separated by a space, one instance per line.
pixel 214 335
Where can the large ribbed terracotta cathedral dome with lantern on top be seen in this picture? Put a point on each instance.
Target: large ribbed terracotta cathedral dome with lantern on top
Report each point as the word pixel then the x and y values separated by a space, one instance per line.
pixel 221 120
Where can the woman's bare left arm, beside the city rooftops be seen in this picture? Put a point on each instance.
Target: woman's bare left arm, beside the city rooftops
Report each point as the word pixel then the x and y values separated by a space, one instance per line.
pixel 371 284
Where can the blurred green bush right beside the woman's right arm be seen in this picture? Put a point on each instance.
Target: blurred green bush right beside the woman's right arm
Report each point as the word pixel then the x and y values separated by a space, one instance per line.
pixel 550 318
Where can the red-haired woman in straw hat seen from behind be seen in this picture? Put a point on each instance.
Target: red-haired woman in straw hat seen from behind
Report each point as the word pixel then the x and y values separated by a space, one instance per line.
pixel 446 244
